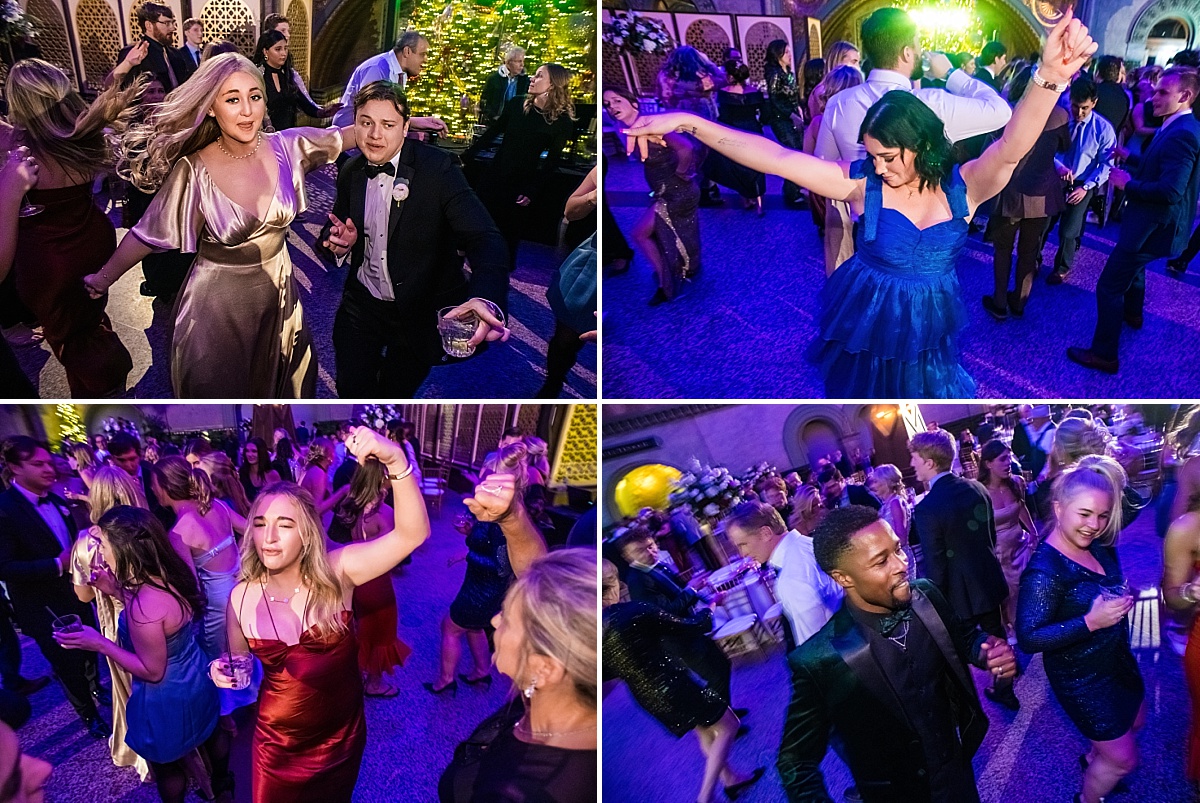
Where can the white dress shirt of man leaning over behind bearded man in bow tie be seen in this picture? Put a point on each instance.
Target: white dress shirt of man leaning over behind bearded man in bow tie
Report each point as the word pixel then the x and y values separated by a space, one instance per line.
pixel 808 595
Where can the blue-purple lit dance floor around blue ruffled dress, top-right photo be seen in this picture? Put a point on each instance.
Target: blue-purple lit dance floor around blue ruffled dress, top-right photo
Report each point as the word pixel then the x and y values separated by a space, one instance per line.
pixel 741 331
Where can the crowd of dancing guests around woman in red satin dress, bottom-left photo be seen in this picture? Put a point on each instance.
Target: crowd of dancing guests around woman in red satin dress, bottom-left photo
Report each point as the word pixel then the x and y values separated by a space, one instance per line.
pixel 211 584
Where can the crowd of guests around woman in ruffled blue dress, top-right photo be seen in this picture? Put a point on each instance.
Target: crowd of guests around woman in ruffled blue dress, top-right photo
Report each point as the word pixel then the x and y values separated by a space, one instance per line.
pixel 901 152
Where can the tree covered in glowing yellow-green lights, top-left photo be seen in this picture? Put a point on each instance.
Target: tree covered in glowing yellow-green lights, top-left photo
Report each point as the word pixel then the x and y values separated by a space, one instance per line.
pixel 469 41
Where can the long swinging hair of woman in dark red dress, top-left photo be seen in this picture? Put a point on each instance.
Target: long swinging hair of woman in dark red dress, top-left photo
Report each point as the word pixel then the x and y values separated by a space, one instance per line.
pixel 59 127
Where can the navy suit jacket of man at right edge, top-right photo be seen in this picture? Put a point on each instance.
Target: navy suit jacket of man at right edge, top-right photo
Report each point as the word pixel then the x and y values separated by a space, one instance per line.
pixel 1162 197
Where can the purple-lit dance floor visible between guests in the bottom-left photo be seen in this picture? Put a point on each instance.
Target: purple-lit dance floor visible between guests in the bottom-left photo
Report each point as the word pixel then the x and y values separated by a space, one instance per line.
pixel 411 738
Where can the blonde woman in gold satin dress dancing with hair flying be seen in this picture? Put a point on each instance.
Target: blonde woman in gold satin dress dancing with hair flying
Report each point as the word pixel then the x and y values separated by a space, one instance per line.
pixel 229 193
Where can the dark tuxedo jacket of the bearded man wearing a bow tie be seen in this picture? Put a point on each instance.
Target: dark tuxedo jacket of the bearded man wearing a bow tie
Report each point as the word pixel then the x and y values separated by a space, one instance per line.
pixel 838 682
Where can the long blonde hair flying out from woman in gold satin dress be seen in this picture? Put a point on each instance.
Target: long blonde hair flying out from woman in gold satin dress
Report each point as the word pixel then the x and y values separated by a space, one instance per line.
pixel 181 125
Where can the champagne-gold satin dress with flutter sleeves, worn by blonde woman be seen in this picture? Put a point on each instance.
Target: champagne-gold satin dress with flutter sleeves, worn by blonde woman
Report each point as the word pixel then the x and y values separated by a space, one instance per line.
pixel 239 326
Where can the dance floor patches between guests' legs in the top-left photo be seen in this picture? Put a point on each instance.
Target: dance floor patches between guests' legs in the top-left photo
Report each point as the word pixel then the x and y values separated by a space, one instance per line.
pixel 512 370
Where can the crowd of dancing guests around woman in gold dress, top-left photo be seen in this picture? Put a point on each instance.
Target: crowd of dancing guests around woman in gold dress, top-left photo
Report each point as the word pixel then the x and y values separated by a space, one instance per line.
pixel 205 145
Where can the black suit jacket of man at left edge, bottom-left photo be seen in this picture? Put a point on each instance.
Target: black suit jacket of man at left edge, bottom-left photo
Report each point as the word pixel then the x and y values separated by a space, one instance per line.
pixel 28 548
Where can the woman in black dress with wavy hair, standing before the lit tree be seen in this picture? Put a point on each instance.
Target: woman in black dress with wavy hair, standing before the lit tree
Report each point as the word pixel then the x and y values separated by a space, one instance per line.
pixel 533 125
